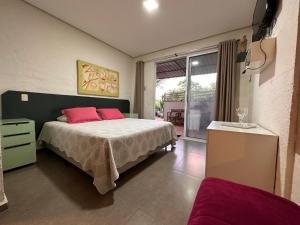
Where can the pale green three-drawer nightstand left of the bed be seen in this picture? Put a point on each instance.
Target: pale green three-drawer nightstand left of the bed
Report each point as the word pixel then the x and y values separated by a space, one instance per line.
pixel 18 143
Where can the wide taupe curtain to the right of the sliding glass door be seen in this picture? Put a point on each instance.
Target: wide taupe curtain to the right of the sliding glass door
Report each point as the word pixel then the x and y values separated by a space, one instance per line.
pixel 226 81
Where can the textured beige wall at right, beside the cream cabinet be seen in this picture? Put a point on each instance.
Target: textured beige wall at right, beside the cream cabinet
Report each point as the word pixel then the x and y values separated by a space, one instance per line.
pixel 273 90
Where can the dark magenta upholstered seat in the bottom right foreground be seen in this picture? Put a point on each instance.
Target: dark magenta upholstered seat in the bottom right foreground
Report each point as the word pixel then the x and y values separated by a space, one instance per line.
pixel 221 202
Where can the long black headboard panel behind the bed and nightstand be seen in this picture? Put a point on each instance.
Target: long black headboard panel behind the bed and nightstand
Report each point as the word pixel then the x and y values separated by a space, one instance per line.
pixel 47 107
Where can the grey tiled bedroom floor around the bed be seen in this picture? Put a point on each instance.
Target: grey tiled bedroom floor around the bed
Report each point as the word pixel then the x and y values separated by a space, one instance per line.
pixel 160 190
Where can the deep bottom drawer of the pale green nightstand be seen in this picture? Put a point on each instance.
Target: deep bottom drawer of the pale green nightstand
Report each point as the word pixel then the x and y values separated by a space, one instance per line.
pixel 18 156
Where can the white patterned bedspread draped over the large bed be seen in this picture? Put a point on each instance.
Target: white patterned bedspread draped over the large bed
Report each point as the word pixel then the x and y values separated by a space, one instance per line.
pixel 103 146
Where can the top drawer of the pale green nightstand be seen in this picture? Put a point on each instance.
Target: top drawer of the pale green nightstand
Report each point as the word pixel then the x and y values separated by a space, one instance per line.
pixel 17 128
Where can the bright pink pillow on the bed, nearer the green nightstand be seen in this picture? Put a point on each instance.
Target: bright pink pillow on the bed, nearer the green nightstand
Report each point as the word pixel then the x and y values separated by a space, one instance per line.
pixel 80 115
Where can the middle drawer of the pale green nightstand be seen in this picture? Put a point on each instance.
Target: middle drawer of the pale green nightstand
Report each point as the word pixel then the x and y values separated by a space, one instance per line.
pixel 14 140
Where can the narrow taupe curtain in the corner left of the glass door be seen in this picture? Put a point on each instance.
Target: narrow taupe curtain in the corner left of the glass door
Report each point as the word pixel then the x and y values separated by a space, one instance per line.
pixel 139 90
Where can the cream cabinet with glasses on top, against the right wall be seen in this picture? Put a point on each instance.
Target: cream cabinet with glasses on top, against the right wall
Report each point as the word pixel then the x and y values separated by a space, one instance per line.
pixel 245 156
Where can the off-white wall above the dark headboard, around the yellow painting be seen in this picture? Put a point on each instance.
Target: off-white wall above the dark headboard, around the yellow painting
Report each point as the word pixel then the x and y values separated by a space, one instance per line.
pixel 39 52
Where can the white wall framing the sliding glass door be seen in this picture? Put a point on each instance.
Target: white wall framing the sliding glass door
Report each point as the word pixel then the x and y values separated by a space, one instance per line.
pixel 151 59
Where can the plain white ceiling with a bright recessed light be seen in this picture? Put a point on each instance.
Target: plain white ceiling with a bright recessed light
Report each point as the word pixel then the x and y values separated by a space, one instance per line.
pixel 125 25
